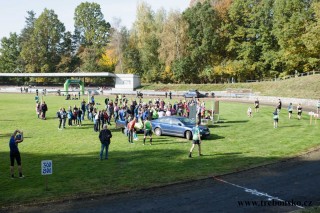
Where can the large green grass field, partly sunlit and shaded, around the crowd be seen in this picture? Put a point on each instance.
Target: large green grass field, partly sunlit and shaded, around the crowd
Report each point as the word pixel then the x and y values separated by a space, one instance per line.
pixel 237 143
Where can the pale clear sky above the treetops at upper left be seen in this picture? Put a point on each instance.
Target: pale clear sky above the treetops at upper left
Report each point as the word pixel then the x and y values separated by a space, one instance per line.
pixel 14 12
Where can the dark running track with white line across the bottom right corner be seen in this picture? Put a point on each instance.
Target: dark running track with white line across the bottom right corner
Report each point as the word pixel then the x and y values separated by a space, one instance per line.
pixel 263 189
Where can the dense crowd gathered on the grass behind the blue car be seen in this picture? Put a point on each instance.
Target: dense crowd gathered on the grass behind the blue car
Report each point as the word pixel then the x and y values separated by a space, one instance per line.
pixel 136 114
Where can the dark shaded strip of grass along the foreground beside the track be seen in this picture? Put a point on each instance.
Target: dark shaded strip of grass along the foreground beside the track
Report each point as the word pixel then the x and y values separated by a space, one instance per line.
pixel 77 176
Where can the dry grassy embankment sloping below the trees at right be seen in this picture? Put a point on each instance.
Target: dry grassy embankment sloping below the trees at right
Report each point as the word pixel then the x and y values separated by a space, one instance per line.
pixel 303 87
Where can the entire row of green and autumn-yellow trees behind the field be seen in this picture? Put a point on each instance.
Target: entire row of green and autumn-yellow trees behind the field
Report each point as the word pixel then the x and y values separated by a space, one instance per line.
pixel 212 41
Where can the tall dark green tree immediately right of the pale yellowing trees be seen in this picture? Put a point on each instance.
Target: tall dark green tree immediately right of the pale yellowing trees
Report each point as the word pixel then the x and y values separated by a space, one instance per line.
pixel 204 40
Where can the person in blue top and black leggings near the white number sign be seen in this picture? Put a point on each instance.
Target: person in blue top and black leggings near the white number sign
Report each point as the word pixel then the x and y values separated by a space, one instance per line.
pixel 15 139
